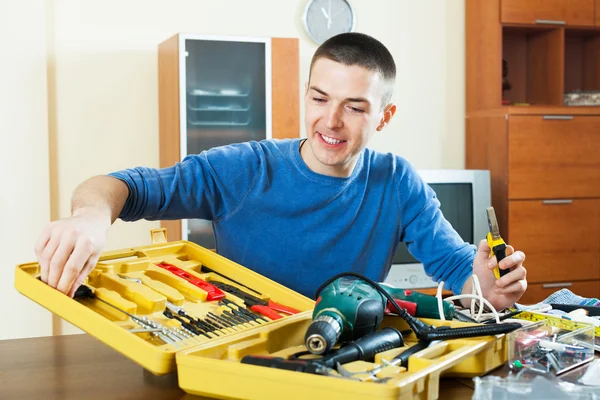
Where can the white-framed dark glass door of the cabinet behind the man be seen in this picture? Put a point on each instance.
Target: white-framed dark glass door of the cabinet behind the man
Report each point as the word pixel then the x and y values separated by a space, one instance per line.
pixel 227 101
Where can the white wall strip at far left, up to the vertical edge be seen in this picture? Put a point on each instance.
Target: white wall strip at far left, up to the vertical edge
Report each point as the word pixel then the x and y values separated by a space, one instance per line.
pixel 25 201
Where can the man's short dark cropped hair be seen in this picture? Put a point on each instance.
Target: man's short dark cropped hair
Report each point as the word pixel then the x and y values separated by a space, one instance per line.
pixel 363 50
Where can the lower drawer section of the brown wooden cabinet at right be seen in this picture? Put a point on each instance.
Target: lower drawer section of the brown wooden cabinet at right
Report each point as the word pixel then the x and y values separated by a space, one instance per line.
pixel 546 192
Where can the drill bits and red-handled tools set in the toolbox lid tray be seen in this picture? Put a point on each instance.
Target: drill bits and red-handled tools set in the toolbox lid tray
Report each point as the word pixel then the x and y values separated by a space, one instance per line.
pixel 170 305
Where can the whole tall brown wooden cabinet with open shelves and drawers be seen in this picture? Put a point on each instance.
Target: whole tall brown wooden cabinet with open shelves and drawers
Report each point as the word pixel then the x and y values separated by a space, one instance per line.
pixel 522 57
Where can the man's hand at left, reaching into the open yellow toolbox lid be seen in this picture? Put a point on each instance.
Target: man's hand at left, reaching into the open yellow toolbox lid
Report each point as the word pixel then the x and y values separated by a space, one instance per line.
pixel 68 249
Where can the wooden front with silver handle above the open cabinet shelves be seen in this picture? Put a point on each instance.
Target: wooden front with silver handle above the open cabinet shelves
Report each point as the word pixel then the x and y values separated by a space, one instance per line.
pixel 550 12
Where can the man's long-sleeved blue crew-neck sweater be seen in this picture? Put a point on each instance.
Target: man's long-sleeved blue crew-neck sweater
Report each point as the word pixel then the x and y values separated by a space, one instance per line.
pixel 274 215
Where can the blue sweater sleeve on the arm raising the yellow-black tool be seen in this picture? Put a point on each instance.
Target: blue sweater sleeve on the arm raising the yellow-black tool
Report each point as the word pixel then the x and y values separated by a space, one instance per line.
pixel 429 237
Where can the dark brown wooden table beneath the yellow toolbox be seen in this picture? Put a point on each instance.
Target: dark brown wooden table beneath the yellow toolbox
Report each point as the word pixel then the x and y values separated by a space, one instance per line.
pixel 83 368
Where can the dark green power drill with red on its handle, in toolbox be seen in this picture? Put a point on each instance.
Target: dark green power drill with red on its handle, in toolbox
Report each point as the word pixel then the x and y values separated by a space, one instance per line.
pixel 349 308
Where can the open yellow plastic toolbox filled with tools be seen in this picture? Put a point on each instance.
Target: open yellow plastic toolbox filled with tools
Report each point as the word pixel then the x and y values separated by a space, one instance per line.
pixel 149 284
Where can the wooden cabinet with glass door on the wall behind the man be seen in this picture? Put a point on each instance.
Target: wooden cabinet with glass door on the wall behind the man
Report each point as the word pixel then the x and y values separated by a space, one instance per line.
pixel 215 91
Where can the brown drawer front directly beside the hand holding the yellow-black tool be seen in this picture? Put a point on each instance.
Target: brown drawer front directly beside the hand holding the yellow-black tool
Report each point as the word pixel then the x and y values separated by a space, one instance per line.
pixel 560 239
